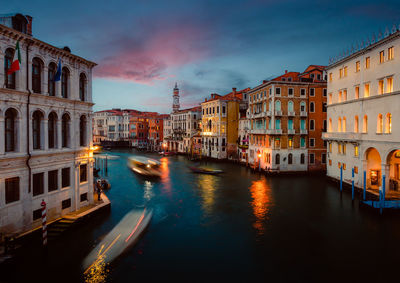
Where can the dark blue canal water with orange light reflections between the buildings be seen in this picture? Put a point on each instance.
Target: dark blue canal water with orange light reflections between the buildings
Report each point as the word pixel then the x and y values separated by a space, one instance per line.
pixel 239 227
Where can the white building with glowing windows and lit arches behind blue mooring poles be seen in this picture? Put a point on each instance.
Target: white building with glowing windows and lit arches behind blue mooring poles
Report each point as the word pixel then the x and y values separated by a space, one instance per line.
pixel 363 114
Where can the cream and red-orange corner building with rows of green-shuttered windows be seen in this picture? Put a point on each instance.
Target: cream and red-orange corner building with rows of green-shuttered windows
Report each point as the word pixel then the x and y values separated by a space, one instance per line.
pixel 287 118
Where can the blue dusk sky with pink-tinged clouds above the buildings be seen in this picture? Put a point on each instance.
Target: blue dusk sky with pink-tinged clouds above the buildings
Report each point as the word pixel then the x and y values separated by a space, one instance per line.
pixel 142 47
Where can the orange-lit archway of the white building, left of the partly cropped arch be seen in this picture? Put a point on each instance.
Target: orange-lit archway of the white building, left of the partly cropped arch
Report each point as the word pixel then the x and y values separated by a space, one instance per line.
pixel 374 170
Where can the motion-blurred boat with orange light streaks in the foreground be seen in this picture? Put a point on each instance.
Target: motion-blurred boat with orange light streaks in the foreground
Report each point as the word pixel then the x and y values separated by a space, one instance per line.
pixel 122 237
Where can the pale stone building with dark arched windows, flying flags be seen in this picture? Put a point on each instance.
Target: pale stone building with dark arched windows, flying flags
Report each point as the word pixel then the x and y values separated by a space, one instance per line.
pixel 45 130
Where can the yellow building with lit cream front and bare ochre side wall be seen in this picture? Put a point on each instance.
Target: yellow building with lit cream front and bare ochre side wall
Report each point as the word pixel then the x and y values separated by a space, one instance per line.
pixel 220 122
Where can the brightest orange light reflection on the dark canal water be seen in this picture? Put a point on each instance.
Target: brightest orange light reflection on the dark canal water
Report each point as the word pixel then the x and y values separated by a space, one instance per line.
pixel 261 194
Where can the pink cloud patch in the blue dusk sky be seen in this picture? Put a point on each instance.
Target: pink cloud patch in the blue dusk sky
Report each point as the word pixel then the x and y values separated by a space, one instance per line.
pixel 147 59
